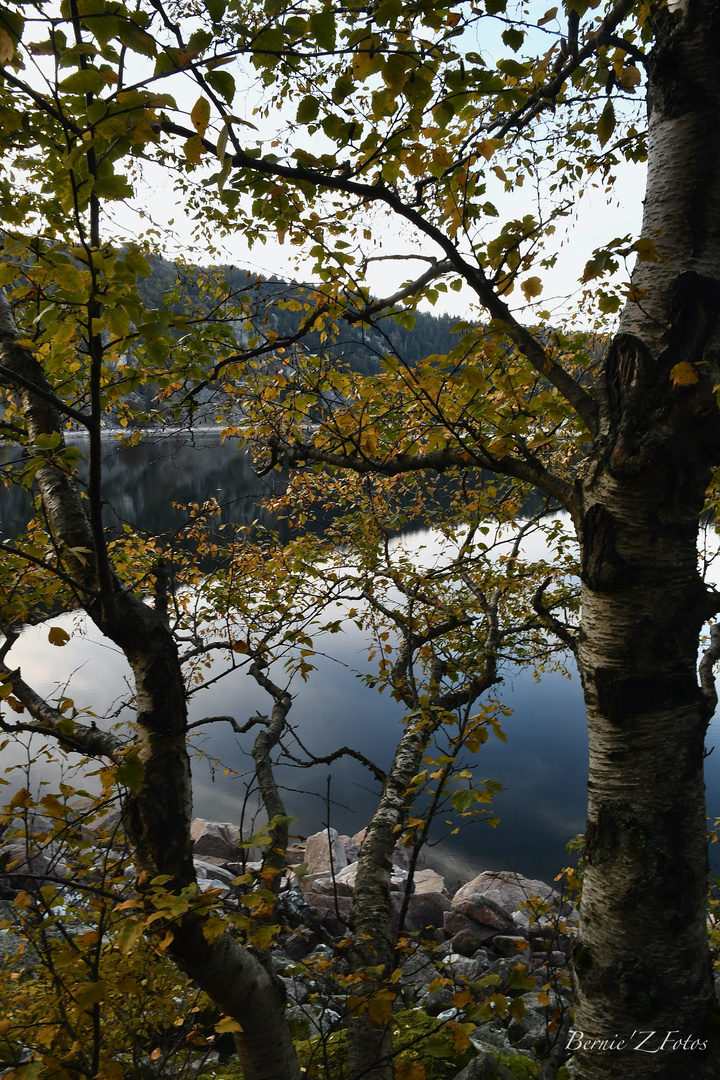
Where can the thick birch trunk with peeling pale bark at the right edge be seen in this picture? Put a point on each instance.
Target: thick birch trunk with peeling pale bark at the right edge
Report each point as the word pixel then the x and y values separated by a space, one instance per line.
pixel 642 965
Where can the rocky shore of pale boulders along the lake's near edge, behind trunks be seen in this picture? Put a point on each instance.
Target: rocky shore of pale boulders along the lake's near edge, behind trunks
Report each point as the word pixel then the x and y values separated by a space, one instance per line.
pixel 499 935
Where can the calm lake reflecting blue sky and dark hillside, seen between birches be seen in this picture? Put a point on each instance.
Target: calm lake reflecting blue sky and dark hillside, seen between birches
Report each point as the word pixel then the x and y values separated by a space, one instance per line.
pixel 542 767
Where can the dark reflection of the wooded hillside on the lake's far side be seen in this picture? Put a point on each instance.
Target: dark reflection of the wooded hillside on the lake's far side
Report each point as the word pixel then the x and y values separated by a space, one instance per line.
pixel 142 483
